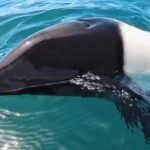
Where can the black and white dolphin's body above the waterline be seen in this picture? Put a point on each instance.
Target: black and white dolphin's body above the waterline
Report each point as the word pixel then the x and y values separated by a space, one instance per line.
pixel 57 54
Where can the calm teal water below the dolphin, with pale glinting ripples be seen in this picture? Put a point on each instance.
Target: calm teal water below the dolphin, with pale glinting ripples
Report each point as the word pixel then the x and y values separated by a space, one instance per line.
pixel 45 122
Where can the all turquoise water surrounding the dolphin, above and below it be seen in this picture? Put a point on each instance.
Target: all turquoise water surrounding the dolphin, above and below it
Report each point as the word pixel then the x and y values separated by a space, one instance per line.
pixel 65 123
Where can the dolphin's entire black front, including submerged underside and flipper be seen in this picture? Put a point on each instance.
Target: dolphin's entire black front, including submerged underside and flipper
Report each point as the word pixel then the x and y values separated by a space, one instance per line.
pixel 84 58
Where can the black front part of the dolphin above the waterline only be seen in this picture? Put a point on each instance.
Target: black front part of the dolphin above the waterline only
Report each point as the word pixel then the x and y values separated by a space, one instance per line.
pixel 62 52
